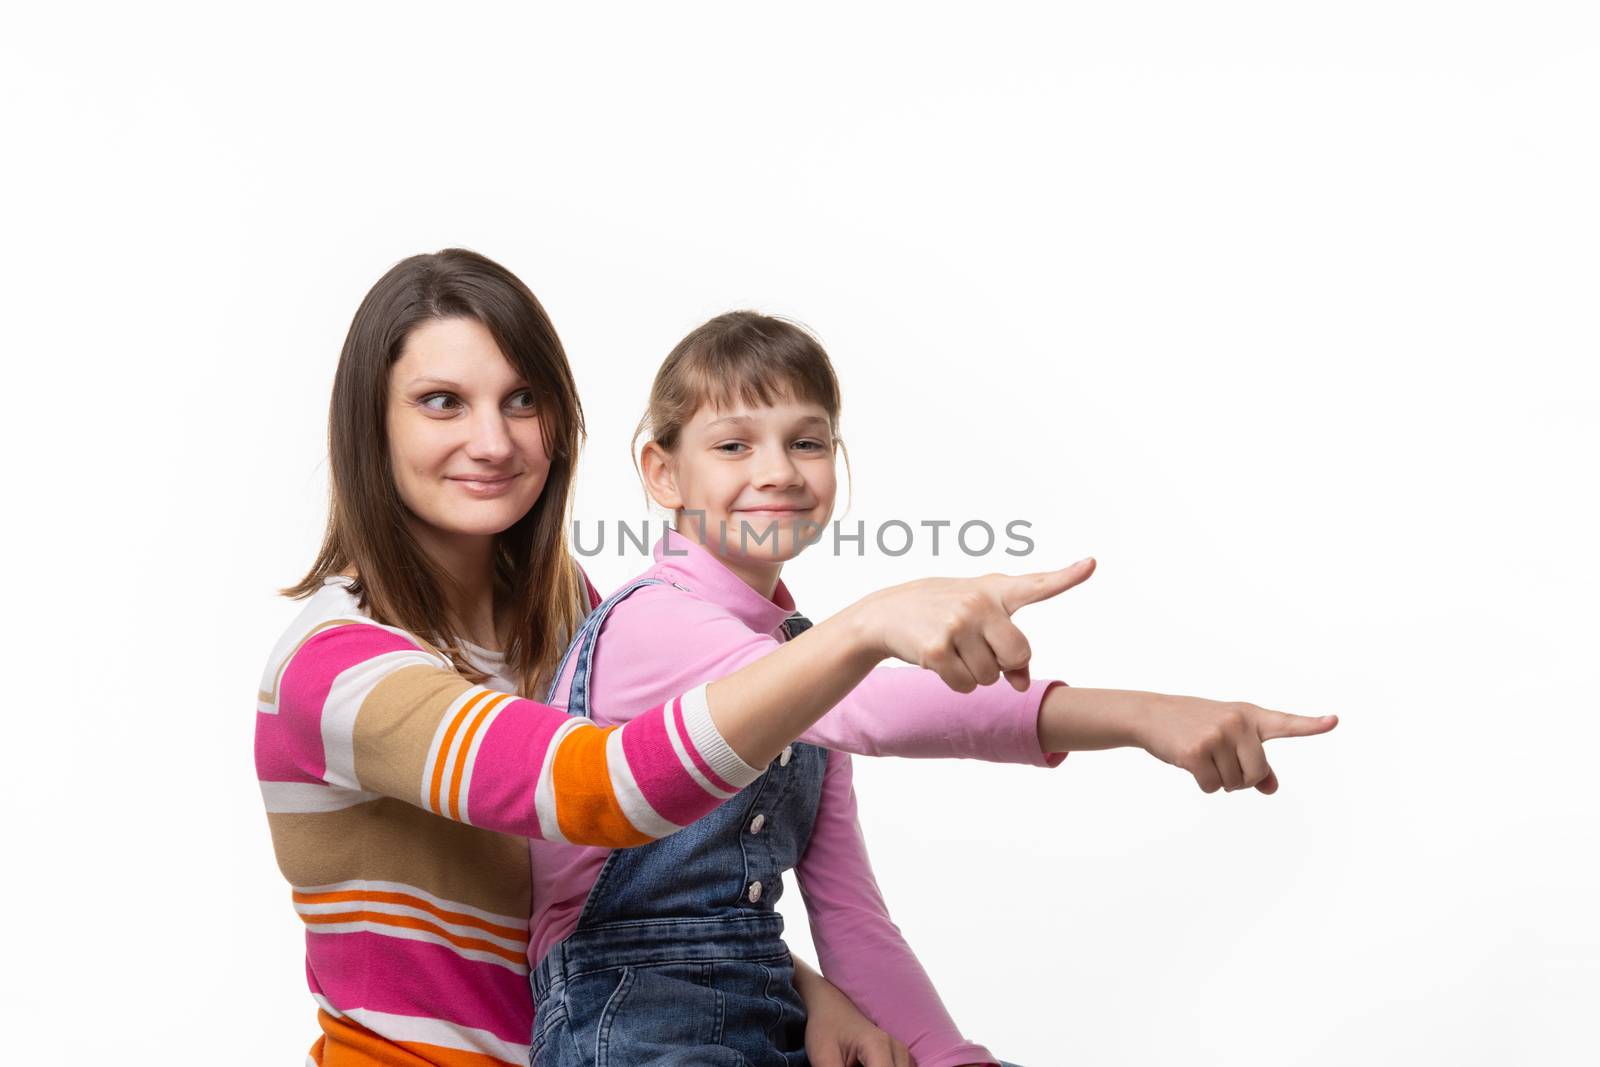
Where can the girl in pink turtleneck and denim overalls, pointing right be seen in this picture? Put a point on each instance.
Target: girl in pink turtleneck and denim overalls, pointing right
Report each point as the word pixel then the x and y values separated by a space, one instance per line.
pixel 673 953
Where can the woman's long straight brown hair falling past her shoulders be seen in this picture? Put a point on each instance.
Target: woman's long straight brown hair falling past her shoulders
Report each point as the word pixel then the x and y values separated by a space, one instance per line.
pixel 538 589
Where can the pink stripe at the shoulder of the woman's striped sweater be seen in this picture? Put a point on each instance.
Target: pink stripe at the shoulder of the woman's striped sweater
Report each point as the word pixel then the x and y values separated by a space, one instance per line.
pixel 289 745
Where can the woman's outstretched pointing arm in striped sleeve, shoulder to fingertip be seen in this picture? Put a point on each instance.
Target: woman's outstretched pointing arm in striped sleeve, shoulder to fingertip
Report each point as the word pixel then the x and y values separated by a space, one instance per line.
pixel 359 711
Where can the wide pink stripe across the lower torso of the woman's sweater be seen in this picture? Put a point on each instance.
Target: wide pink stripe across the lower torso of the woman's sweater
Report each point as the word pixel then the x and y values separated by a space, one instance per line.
pixel 415 978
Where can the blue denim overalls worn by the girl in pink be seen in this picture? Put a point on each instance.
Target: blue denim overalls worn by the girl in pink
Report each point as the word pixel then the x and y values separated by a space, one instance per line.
pixel 679 957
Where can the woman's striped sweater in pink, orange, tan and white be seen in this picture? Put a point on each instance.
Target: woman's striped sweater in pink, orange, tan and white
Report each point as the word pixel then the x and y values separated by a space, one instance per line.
pixel 401 801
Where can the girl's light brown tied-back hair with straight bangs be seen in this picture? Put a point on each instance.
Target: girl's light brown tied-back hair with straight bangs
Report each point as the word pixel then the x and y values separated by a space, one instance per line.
pixel 740 358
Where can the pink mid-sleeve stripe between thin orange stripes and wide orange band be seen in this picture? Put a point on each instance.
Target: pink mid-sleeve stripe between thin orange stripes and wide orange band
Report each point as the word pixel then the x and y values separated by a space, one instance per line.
pixel 506 770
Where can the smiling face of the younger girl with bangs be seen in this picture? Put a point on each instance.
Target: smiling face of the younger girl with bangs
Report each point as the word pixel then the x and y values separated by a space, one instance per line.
pixel 764 479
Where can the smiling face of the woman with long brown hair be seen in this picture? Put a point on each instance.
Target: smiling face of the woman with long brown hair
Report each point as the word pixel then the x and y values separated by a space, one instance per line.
pixel 465 439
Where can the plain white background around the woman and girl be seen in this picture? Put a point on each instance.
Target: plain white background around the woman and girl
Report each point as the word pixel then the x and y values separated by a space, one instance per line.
pixel 1286 313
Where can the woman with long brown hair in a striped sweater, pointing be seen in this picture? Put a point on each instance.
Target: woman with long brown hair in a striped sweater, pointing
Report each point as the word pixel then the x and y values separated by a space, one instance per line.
pixel 401 773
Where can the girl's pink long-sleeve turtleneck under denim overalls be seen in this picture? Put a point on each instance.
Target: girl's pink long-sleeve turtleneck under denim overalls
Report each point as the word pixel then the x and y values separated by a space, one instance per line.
pixel 706 623
